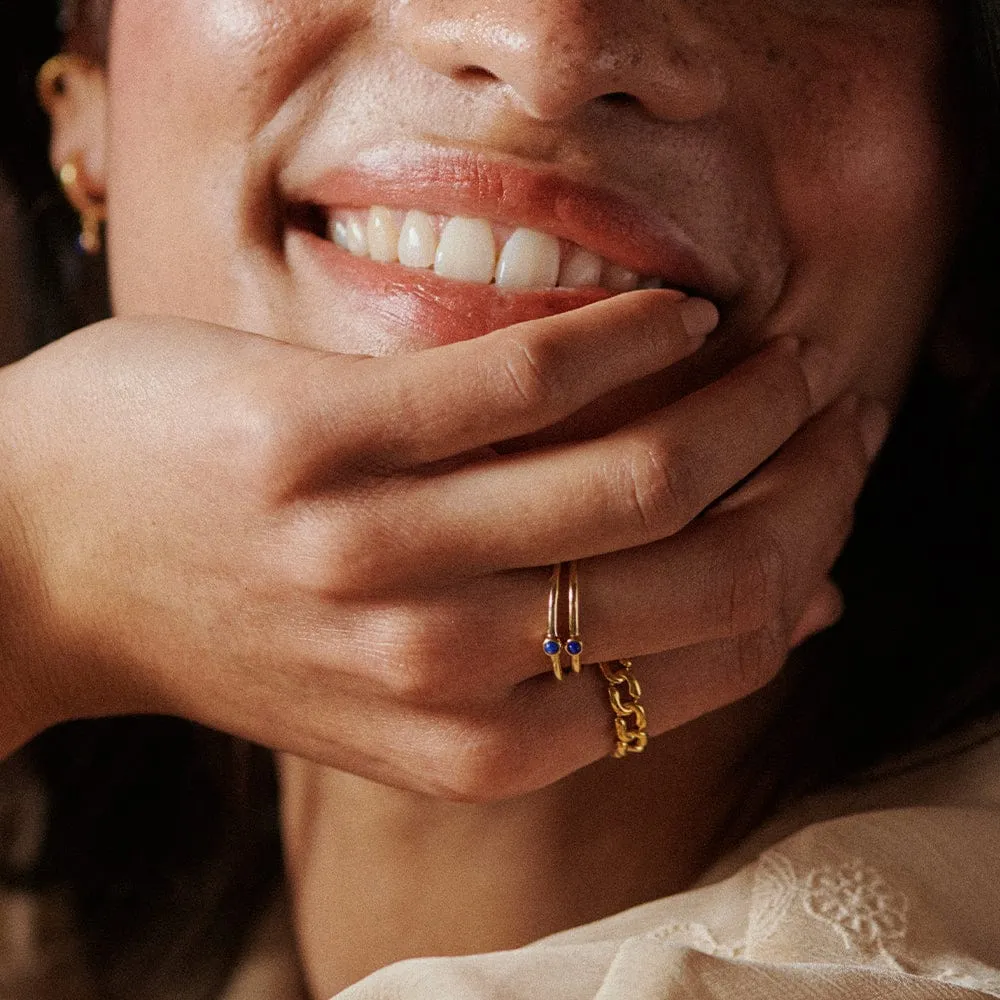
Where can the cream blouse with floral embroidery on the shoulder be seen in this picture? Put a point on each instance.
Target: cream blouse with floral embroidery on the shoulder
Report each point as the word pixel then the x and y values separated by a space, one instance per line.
pixel 887 888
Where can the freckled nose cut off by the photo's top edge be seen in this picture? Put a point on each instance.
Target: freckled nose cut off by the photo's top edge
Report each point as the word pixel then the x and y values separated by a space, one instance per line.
pixel 555 56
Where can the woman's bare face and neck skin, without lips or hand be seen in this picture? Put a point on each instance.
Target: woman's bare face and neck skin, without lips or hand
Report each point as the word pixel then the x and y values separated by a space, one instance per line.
pixel 797 144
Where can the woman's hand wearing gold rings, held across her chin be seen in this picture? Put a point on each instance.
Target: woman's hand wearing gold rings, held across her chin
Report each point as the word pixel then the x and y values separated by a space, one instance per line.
pixel 323 554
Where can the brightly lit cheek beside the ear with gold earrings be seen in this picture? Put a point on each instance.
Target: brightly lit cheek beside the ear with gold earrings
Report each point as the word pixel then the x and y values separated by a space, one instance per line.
pixel 193 86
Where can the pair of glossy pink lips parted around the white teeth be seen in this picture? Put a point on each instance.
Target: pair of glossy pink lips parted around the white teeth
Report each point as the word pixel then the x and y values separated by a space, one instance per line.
pixel 464 183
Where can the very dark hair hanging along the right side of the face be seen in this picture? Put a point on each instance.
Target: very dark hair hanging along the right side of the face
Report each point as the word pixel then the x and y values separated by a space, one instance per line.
pixel 918 650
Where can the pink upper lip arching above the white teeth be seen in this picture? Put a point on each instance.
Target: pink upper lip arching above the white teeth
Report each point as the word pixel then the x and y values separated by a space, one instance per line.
pixel 626 230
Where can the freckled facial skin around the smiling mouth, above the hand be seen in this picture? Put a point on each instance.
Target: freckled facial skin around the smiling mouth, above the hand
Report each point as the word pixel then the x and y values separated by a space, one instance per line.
pixel 768 130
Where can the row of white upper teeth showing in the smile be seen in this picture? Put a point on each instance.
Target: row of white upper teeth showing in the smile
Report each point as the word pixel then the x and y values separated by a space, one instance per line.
pixel 466 249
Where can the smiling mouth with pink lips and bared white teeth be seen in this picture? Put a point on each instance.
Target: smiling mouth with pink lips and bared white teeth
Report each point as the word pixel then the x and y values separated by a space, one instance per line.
pixel 426 246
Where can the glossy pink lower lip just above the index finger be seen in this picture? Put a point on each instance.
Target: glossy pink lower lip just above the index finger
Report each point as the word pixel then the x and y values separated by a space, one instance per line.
pixel 433 310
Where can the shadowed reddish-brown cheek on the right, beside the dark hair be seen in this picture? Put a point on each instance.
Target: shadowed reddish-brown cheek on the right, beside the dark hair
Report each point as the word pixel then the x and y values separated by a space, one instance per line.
pixel 863 184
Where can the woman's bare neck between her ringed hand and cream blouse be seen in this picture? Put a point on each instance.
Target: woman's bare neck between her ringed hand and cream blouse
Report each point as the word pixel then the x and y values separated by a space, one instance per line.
pixel 378 874
